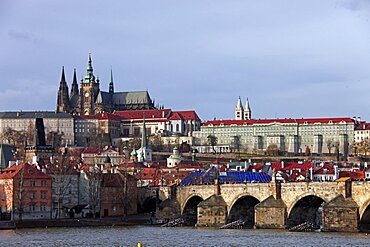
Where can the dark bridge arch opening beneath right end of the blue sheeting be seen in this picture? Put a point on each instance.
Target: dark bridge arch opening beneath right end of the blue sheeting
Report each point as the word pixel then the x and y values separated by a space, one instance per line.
pixel 243 207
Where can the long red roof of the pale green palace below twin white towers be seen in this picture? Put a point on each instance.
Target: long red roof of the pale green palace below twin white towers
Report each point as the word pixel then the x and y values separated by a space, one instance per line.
pixel 284 121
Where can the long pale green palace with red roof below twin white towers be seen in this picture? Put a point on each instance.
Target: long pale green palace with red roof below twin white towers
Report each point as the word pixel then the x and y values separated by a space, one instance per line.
pixel 295 136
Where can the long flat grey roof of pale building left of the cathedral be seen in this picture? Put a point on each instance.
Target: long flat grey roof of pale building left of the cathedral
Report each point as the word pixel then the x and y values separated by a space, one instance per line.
pixel 33 114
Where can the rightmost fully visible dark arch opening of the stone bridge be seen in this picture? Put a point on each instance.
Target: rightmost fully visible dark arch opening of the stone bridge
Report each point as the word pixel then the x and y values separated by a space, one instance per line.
pixel 307 208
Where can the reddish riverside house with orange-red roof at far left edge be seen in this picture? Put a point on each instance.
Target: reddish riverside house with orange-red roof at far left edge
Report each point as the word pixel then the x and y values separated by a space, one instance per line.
pixel 27 192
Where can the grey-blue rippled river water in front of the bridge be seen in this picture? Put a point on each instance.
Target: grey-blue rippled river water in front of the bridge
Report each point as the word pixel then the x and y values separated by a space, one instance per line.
pixel 182 236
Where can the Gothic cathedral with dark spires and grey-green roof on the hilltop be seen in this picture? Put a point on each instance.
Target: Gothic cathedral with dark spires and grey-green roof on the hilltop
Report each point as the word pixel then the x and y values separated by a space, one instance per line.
pixel 90 100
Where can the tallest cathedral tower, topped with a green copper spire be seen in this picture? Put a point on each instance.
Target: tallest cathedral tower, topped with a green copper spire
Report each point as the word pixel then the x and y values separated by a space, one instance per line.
pixel 89 89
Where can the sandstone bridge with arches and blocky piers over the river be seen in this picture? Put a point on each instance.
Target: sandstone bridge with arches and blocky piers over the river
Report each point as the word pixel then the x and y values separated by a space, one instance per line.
pixel 335 206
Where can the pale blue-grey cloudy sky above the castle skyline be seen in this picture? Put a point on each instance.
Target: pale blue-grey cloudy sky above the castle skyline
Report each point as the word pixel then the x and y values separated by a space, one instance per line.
pixel 291 59
